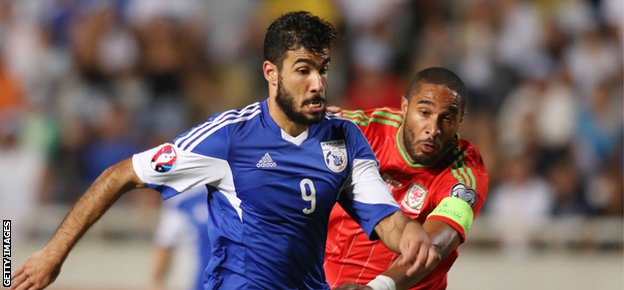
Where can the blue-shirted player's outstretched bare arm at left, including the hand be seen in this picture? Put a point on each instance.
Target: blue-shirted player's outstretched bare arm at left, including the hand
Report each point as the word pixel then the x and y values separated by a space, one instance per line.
pixel 42 268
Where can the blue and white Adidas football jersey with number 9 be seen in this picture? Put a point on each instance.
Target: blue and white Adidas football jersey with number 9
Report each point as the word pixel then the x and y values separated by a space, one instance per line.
pixel 270 194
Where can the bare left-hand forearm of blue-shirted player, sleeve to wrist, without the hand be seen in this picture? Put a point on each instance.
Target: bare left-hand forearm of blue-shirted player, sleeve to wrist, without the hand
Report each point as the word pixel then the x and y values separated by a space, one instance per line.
pixel 108 187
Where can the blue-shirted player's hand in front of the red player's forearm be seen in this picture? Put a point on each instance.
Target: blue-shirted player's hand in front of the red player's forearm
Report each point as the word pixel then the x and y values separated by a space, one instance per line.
pixel 416 248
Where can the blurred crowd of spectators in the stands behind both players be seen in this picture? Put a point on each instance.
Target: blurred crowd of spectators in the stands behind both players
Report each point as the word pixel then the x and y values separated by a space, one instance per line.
pixel 86 83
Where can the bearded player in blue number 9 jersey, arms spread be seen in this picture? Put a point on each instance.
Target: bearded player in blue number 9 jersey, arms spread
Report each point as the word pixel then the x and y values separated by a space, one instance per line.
pixel 273 170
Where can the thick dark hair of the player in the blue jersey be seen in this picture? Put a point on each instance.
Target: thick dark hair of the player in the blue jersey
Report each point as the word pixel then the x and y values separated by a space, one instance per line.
pixel 294 30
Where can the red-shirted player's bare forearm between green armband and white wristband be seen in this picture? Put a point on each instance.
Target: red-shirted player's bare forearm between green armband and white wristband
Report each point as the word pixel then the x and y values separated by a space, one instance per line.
pixel 444 240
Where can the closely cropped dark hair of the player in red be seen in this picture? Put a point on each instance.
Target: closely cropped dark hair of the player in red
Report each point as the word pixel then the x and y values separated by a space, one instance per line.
pixel 438 76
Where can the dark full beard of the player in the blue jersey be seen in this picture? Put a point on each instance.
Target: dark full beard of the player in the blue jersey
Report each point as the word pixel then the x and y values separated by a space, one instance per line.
pixel 286 102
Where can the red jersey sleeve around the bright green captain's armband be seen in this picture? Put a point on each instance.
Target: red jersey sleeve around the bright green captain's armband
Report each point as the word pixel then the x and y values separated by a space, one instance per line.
pixel 466 181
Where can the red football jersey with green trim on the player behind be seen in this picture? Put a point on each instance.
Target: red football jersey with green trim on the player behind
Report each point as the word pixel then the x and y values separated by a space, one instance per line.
pixel 349 254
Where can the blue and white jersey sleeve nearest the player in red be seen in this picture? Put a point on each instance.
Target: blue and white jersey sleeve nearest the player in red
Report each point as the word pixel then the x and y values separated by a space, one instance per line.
pixel 365 197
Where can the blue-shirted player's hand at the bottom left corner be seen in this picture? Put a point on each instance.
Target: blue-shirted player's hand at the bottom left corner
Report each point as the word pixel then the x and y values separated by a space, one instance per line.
pixel 39 271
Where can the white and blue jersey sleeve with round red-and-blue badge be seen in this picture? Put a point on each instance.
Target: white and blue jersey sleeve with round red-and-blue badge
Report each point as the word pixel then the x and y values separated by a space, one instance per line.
pixel 194 159
